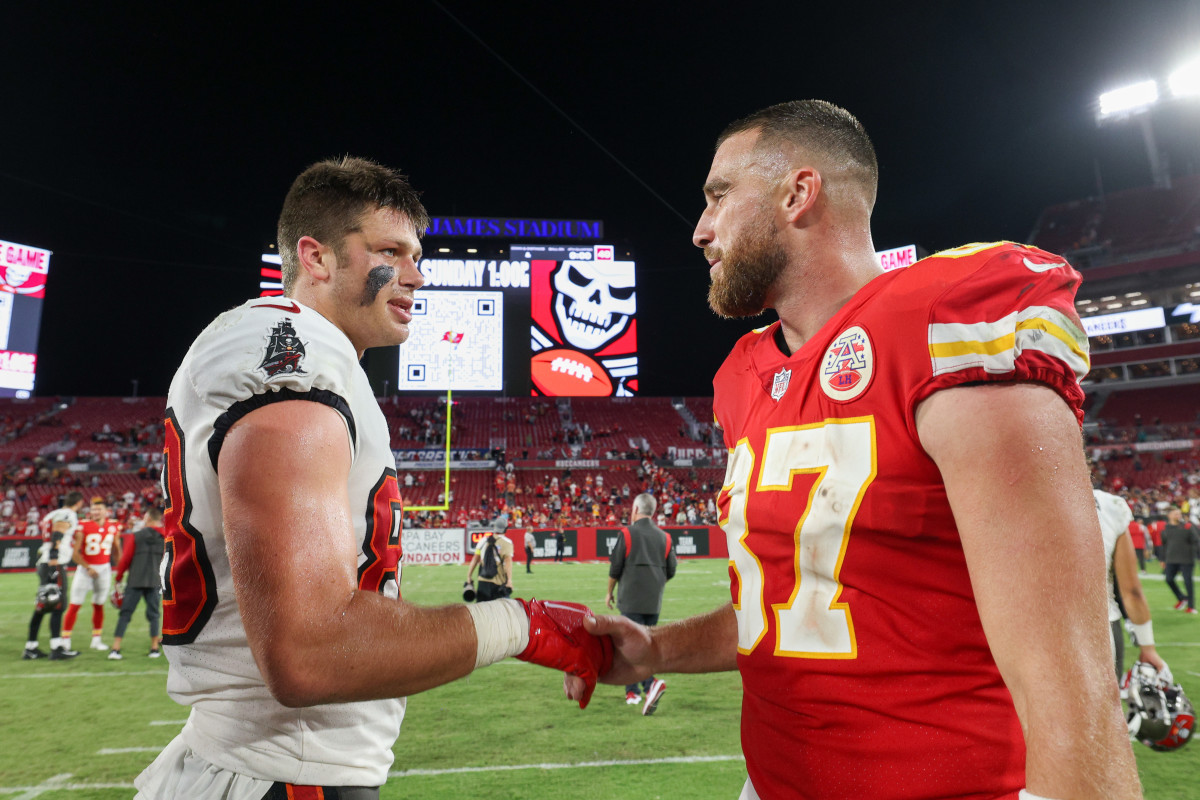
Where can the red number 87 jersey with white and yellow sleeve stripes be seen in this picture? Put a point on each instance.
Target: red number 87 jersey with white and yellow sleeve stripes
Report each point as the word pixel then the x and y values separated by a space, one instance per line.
pixel 865 665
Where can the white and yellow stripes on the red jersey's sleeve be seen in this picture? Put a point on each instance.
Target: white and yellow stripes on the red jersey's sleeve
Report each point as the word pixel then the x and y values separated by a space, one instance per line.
pixel 997 346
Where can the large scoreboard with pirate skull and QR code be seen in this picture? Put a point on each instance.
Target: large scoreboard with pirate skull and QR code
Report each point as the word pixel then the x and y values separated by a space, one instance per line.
pixel 542 320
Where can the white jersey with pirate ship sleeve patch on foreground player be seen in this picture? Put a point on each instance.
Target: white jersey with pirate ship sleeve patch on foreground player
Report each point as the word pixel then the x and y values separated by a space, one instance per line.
pixel 269 350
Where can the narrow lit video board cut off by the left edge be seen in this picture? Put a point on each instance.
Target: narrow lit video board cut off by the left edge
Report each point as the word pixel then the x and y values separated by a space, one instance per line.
pixel 23 270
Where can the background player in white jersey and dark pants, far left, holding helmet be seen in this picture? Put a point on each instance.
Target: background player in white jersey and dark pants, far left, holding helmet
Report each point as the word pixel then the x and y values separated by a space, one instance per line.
pixel 58 531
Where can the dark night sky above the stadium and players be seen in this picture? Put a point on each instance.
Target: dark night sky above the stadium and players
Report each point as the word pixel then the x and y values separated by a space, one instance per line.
pixel 152 153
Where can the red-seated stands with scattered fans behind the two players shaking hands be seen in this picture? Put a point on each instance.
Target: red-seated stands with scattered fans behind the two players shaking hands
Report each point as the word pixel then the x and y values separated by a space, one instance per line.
pixel 112 447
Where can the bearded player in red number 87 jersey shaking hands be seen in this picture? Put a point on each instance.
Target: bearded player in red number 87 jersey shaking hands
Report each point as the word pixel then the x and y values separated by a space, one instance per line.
pixel 919 593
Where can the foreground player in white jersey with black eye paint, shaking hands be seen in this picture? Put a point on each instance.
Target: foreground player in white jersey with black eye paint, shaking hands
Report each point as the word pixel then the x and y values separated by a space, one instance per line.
pixel 283 621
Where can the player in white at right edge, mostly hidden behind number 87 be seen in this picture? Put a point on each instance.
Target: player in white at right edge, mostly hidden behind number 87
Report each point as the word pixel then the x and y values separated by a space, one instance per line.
pixel 1123 563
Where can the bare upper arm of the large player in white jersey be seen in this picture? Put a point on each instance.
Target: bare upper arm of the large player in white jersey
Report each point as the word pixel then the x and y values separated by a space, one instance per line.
pixel 284 473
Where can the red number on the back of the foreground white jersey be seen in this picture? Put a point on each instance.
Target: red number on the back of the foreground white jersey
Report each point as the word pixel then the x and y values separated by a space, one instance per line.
pixel 189 587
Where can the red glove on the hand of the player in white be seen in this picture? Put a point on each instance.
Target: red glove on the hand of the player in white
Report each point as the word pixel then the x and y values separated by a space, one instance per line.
pixel 557 640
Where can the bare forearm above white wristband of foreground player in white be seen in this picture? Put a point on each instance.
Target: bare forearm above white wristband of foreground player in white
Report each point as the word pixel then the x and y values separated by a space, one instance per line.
pixel 373 648
